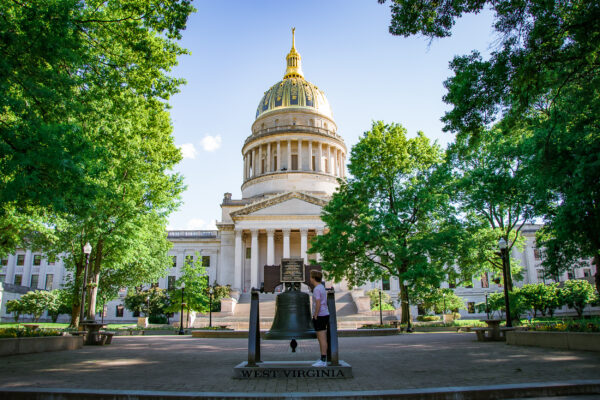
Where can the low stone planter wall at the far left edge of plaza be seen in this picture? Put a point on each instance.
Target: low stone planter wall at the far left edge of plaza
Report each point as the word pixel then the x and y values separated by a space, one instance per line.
pixel 39 344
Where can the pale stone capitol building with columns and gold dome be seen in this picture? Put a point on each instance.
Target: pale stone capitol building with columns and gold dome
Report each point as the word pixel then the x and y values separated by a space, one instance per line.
pixel 292 161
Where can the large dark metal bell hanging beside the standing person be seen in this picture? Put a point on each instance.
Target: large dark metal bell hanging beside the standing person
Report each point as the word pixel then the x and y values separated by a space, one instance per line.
pixel 292 317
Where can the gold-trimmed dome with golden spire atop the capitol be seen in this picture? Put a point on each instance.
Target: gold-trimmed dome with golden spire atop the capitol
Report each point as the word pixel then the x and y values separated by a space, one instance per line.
pixel 294 91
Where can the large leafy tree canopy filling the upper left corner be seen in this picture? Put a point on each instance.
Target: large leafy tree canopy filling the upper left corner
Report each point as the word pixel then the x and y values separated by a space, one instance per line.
pixel 63 105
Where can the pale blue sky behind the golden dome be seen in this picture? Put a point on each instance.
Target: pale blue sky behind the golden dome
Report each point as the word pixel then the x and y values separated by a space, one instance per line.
pixel 238 50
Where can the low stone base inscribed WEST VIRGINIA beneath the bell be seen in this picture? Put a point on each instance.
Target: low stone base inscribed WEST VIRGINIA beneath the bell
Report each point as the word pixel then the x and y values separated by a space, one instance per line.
pixel 291 370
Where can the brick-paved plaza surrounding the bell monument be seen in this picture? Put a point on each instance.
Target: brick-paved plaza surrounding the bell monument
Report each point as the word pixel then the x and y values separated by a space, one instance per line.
pixel 181 363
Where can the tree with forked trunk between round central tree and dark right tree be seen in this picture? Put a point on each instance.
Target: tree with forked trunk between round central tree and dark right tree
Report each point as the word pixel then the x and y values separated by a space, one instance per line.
pixel 493 187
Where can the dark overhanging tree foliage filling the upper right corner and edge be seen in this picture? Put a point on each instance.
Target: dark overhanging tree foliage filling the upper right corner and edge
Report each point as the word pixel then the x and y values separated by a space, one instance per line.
pixel 540 83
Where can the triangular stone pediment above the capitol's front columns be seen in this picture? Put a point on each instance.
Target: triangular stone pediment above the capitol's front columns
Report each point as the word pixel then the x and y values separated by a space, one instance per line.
pixel 291 203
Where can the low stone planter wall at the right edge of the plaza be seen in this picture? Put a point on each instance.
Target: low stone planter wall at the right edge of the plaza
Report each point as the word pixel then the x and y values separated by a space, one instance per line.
pixel 561 340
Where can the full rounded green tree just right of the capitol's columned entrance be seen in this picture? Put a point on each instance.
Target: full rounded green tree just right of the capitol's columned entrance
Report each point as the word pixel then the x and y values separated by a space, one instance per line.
pixel 391 217
